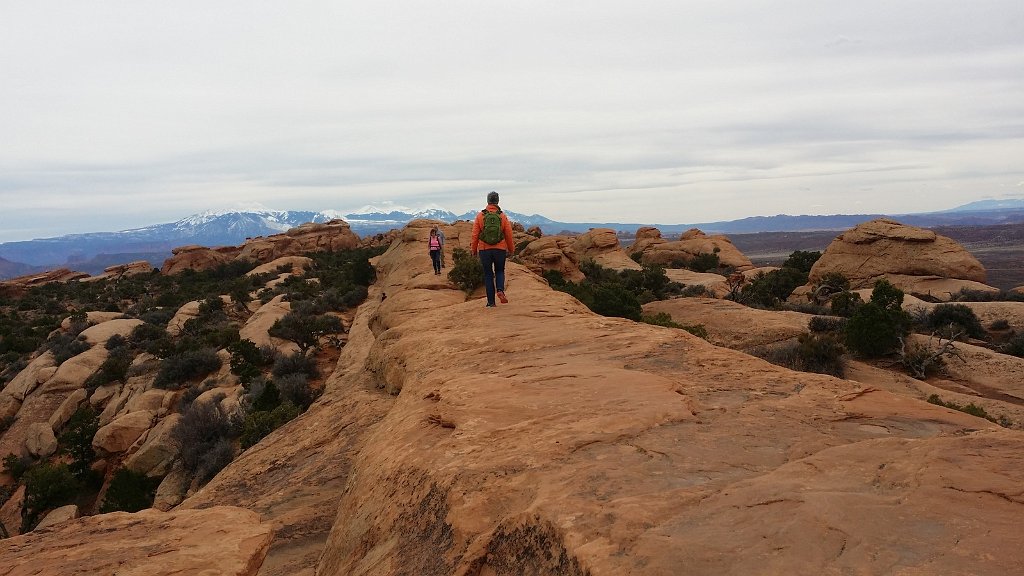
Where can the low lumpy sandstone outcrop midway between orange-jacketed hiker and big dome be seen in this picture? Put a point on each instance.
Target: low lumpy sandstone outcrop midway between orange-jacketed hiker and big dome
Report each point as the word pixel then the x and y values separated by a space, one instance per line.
pixel 657 251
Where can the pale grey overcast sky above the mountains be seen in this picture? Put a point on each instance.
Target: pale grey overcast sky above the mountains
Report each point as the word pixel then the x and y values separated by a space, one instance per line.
pixel 122 114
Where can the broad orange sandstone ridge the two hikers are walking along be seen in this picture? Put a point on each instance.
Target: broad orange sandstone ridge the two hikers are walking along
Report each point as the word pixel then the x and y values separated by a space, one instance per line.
pixel 538 438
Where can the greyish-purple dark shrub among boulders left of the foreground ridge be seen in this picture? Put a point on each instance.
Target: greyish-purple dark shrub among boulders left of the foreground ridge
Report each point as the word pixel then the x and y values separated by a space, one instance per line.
pixel 200 436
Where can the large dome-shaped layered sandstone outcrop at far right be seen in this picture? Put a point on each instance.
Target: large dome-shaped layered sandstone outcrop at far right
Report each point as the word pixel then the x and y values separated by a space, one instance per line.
pixel 915 260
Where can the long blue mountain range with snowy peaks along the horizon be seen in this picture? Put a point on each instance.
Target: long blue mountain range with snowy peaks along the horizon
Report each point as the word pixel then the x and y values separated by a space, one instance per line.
pixel 95 252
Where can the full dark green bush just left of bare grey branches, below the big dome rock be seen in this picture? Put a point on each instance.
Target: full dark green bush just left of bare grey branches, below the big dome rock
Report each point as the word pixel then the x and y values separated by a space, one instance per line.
pixel 877 327
